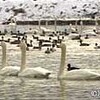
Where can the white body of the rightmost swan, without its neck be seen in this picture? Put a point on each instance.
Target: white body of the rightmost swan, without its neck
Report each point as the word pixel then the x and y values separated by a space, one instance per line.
pixel 81 74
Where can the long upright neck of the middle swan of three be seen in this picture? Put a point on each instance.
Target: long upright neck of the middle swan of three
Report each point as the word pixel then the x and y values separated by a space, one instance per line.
pixel 23 55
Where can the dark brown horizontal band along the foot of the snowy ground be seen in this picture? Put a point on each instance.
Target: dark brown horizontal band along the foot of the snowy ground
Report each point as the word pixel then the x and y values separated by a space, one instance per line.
pixel 58 22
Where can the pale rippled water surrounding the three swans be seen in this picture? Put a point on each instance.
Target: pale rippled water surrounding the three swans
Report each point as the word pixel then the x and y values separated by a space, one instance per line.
pixel 19 88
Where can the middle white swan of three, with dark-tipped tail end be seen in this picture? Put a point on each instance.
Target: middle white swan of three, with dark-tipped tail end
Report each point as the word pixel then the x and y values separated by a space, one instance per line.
pixel 37 72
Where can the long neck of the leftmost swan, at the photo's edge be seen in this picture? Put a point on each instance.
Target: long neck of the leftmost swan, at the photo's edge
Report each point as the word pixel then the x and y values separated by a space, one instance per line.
pixel 3 45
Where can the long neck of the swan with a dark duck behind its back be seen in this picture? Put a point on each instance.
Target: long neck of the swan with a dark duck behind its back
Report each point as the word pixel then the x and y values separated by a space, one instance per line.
pixel 63 57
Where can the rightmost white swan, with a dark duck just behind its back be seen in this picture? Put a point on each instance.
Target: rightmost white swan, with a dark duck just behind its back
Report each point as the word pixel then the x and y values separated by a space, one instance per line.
pixel 78 74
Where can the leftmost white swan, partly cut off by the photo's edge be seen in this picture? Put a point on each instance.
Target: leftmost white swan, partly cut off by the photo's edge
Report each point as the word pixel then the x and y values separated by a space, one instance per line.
pixel 7 70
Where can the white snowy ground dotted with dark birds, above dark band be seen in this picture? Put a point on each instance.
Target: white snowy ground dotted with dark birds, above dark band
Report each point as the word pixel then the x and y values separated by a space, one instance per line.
pixel 35 9
